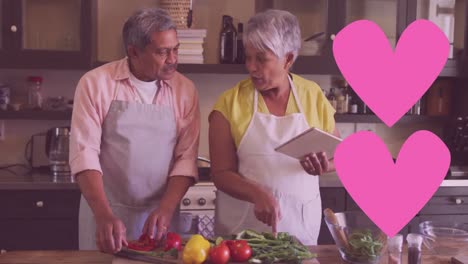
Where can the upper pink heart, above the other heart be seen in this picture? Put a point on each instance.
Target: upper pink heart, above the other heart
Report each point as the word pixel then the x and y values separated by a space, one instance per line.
pixel 390 82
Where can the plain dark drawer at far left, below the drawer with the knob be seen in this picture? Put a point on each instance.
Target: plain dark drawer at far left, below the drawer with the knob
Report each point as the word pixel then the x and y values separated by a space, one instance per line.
pixel 39 234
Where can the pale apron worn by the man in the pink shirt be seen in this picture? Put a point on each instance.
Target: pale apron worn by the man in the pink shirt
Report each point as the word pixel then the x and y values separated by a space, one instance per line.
pixel 137 147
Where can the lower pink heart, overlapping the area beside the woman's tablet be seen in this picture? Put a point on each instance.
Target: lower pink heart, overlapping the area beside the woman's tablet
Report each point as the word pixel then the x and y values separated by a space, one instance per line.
pixel 391 194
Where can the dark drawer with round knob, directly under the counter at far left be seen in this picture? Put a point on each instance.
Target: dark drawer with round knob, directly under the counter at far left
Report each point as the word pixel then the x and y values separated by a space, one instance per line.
pixel 39 204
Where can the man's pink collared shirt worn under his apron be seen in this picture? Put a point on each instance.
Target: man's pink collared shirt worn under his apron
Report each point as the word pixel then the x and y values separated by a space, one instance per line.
pixel 93 96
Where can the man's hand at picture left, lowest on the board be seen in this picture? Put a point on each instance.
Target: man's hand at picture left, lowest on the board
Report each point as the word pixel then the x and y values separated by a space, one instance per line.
pixel 110 234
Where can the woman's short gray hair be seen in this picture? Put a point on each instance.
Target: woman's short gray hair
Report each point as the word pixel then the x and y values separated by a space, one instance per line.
pixel 274 30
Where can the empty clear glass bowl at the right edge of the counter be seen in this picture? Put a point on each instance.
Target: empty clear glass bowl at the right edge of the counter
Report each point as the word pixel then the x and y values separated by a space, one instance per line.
pixel 445 237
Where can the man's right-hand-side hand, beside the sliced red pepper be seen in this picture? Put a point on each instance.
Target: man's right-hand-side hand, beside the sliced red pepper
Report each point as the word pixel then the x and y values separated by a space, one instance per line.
pixel 159 219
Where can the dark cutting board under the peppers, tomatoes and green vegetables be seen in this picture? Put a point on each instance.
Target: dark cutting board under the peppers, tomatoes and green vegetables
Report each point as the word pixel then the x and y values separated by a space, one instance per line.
pixel 130 257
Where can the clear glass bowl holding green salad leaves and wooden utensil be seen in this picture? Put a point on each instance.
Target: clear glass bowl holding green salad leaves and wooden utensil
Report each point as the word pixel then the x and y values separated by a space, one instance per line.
pixel 358 239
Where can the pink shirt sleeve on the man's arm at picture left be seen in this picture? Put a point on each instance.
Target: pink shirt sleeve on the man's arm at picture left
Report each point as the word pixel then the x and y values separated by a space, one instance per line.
pixel 86 131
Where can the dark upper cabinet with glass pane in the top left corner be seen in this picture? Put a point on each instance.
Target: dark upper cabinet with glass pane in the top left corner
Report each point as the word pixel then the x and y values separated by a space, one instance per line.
pixel 45 34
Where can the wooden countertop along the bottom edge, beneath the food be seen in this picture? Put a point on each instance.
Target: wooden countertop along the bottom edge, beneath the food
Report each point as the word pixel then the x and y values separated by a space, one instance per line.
pixel 326 254
